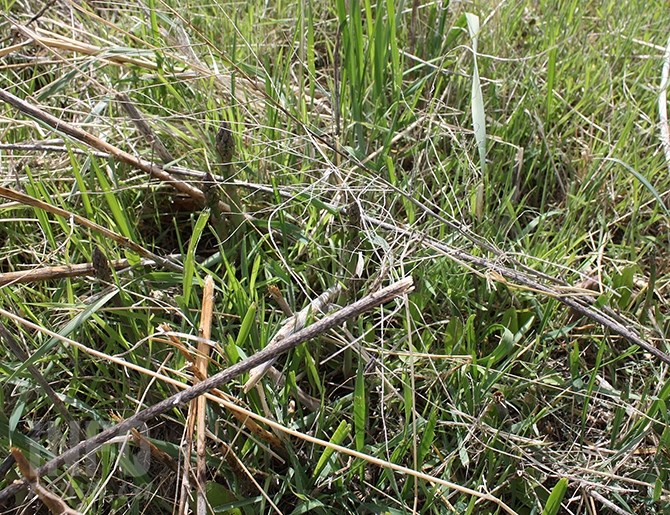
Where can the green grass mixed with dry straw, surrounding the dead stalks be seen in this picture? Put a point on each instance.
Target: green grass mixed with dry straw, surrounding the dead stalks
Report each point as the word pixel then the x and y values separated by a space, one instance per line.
pixel 474 379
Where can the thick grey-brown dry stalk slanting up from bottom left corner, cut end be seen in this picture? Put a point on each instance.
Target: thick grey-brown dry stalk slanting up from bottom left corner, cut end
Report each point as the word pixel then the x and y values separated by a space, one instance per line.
pixel 401 287
